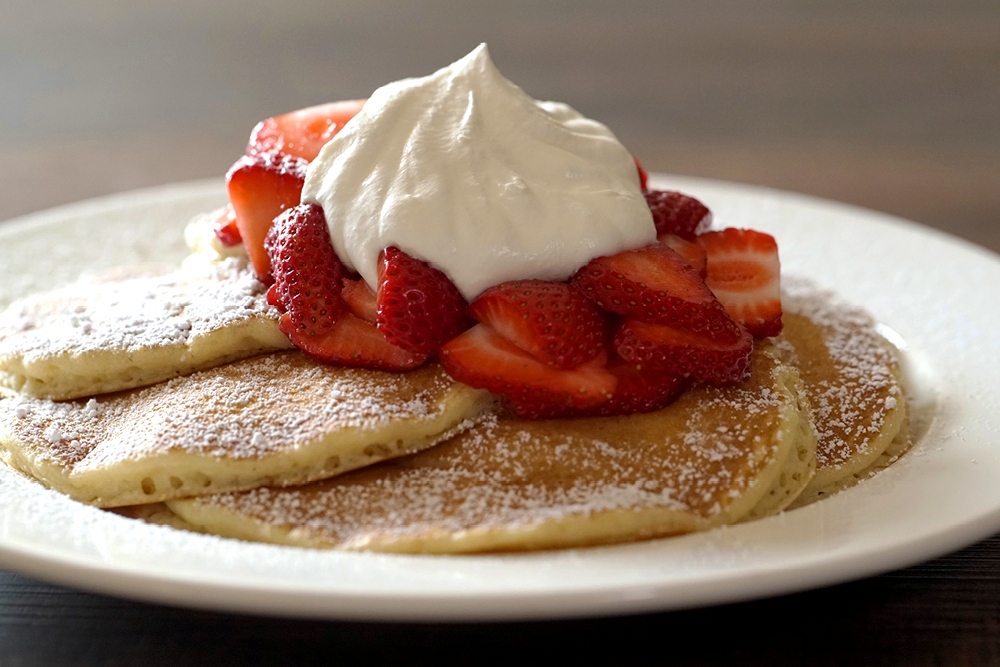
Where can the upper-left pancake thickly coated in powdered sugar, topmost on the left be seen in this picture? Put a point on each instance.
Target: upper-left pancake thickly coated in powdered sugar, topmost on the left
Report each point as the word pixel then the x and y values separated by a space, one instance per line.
pixel 94 337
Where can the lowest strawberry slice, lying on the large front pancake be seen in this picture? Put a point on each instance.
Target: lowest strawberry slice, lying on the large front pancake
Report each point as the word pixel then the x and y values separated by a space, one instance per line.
pixel 482 358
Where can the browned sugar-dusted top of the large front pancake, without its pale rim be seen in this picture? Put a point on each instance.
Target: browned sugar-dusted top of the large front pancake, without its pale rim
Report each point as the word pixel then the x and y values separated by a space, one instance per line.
pixel 694 457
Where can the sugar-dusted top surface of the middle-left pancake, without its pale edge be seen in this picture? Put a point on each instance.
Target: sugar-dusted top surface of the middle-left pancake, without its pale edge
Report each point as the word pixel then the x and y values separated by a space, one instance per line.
pixel 251 408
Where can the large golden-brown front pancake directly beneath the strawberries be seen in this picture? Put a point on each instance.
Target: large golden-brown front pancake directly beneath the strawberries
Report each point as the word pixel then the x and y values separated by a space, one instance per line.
pixel 706 460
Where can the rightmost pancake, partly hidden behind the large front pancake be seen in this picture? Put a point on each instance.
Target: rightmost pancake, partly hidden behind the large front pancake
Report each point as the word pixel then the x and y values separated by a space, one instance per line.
pixel 853 383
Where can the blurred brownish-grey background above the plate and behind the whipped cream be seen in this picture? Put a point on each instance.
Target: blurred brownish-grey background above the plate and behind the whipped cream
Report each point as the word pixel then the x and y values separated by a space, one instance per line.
pixel 893 105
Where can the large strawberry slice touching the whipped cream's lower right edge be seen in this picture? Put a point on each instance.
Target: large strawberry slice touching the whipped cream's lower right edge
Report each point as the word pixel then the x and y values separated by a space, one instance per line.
pixel 655 284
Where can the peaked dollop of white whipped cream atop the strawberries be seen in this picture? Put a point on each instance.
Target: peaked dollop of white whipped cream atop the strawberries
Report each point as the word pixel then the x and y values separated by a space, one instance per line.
pixel 464 170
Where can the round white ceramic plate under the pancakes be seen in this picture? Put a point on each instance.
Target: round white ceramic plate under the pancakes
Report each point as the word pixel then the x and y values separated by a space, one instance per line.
pixel 930 288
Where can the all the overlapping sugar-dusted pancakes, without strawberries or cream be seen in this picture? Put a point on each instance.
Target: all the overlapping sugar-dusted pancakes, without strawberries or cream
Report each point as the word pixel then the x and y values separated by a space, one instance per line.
pixel 175 399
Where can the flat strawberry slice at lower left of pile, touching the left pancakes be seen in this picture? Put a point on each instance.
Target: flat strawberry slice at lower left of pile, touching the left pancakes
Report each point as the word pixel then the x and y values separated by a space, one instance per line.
pixel 352 342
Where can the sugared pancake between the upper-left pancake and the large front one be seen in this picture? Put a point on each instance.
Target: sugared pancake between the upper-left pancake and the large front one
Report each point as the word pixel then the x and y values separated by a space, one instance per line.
pixel 279 419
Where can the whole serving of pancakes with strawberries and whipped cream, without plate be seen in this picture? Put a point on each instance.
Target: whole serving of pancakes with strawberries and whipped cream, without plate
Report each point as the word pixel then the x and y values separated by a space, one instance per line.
pixel 481 287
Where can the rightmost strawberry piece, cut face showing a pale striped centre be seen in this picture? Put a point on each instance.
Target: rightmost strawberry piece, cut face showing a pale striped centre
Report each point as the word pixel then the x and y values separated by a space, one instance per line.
pixel 744 273
